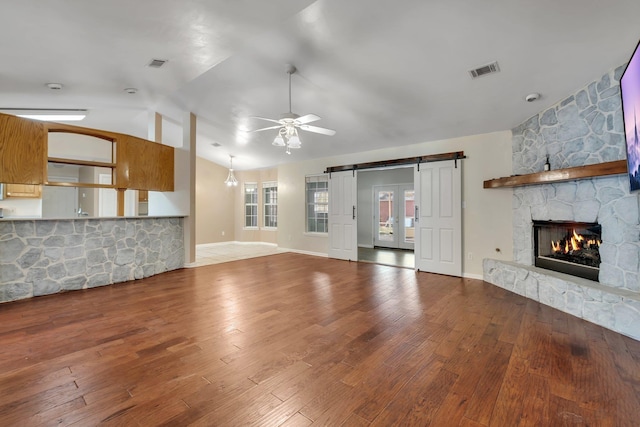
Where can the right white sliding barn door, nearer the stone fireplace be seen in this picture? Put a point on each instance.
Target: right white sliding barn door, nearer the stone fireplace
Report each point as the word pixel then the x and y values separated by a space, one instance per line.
pixel 438 217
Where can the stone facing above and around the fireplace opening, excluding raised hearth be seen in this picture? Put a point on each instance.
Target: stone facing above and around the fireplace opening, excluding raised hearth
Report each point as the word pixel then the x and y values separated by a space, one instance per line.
pixel 585 128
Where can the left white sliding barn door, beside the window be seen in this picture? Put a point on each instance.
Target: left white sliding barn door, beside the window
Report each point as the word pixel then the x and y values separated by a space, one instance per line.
pixel 343 230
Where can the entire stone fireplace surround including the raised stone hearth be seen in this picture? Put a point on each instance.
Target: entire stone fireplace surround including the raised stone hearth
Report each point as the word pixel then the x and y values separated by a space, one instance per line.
pixel 585 128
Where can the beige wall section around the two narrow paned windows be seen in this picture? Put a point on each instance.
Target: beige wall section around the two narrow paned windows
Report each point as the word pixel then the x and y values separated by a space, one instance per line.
pixel 250 235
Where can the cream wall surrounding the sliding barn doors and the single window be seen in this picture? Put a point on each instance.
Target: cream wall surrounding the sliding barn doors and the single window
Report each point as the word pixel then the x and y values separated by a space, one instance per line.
pixel 487 219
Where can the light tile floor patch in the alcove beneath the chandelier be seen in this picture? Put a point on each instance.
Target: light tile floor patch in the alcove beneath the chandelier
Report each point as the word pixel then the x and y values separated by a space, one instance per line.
pixel 216 253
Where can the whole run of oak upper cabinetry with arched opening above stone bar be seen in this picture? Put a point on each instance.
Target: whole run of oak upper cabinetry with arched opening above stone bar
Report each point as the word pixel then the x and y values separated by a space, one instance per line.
pixel 33 152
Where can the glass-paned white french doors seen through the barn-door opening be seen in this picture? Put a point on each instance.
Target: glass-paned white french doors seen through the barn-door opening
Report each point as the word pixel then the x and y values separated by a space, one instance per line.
pixel 393 216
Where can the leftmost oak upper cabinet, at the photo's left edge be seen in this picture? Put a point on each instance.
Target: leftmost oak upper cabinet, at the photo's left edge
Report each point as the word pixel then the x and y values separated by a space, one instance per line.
pixel 23 150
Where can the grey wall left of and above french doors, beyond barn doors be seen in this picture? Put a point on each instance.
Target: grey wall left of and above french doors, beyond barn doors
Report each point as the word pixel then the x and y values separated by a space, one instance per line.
pixel 366 181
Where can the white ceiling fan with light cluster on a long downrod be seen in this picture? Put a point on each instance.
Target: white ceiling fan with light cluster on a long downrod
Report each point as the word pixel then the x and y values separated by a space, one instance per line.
pixel 289 123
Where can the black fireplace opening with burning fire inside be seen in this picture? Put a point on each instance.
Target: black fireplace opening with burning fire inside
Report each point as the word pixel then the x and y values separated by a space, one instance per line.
pixel 568 247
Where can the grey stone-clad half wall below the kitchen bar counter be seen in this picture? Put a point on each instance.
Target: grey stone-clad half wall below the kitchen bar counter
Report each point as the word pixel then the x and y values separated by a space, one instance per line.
pixel 40 257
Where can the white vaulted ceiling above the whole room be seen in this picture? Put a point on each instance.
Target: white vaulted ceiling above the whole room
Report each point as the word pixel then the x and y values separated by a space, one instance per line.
pixel 379 72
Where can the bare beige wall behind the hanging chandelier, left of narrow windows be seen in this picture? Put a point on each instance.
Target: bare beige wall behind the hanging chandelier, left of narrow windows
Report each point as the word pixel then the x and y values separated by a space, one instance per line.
pixel 215 204
